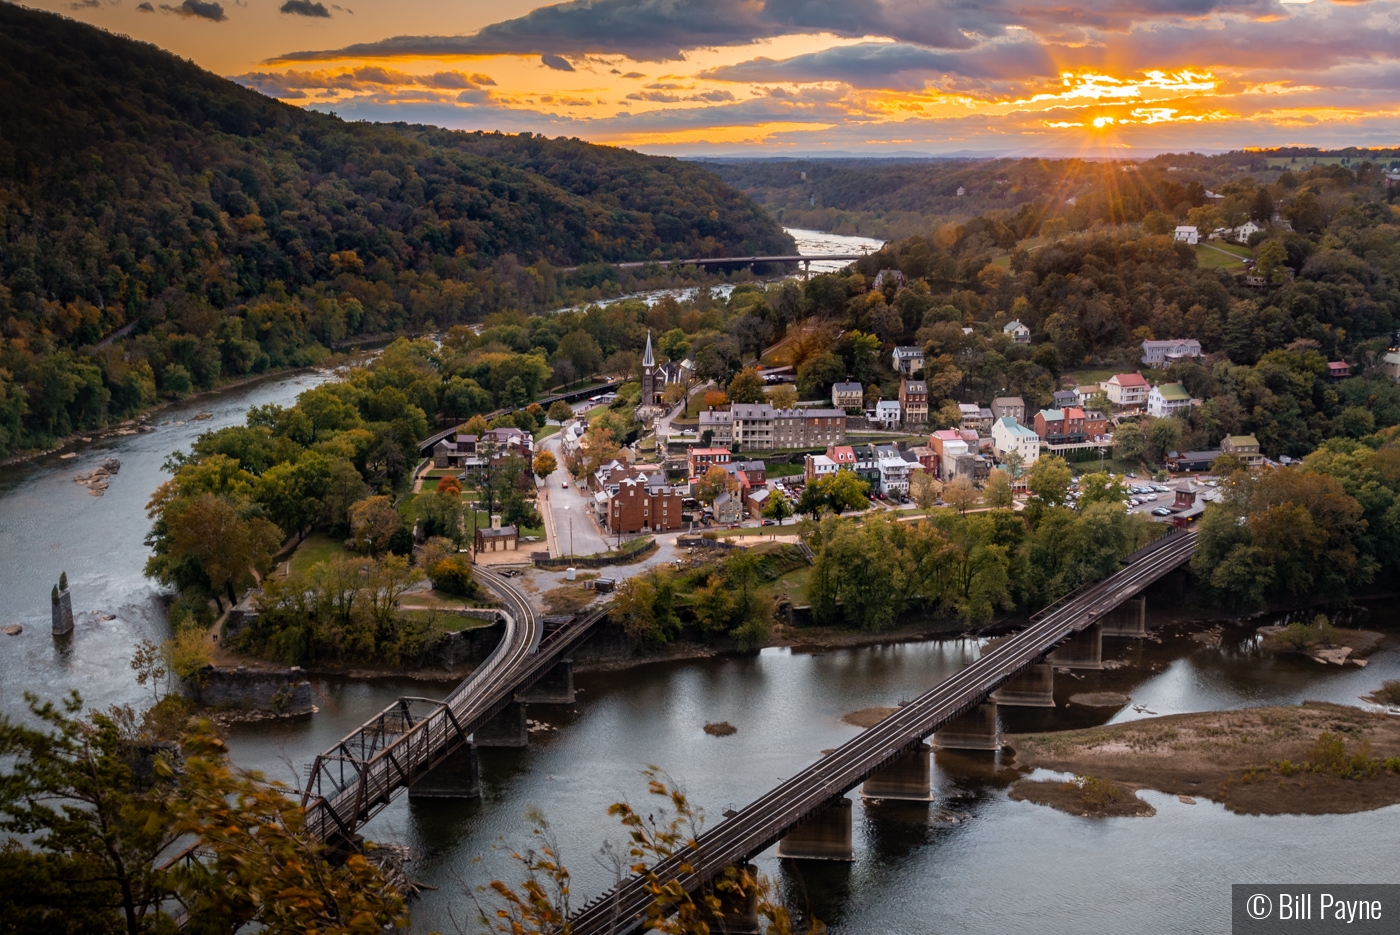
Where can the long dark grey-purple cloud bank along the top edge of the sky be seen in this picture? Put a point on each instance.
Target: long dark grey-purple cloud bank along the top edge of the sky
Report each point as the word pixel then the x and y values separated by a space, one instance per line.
pixel 666 30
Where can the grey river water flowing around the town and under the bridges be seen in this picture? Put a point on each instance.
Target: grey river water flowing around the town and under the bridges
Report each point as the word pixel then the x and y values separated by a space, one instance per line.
pixel 1010 867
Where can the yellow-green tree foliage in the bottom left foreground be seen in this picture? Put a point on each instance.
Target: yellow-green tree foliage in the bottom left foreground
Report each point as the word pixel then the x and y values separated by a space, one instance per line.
pixel 100 801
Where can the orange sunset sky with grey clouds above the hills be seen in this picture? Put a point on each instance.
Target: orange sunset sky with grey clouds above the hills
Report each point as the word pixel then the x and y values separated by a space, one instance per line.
pixel 1060 78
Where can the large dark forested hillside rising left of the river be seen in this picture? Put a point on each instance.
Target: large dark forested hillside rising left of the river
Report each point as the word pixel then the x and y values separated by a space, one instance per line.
pixel 237 234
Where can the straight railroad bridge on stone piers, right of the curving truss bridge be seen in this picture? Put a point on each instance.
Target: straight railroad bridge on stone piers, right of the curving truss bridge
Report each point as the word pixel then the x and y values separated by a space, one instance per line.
pixel 810 817
